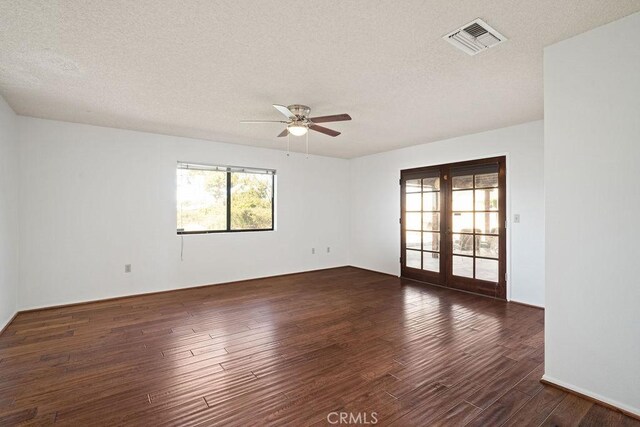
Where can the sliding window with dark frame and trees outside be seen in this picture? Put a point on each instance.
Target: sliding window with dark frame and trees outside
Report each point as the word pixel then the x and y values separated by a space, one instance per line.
pixel 213 199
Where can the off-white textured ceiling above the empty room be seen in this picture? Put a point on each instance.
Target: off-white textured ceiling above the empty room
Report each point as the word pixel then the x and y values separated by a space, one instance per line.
pixel 195 68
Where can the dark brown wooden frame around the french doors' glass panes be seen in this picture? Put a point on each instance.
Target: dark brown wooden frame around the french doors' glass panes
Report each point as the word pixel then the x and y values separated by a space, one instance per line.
pixel 445 276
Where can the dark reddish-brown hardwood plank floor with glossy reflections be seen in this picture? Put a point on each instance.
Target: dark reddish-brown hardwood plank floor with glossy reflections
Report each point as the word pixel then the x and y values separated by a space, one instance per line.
pixel 286 351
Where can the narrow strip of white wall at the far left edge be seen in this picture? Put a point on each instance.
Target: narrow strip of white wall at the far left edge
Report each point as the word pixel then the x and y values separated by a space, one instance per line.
pixel 9 201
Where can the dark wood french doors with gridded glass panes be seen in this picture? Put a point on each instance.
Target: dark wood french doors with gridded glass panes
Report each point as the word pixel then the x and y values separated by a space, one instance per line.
pixel 453 220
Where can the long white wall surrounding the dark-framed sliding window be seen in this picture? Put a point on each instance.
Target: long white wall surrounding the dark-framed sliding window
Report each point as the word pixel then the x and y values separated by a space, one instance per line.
pixel 95 199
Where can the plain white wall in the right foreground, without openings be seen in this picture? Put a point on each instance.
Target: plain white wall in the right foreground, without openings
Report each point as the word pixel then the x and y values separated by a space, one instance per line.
pixel 592 174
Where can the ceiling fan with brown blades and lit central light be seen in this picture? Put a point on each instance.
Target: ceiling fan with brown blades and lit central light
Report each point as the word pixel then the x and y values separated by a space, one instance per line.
pixel 298 121
